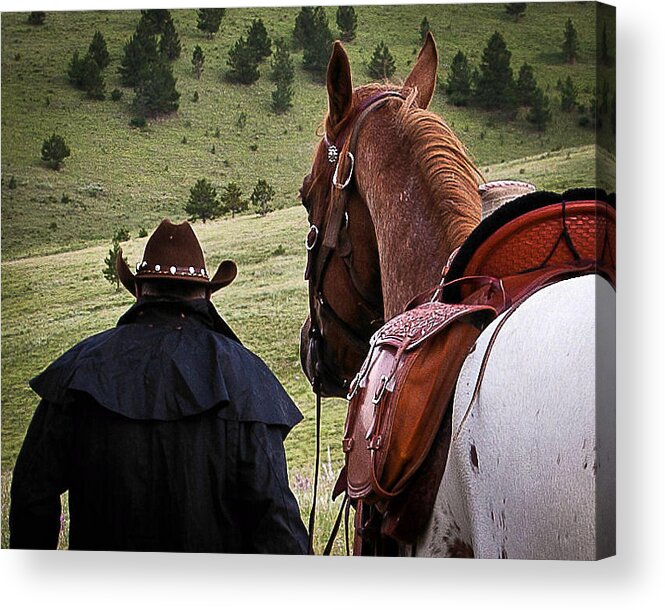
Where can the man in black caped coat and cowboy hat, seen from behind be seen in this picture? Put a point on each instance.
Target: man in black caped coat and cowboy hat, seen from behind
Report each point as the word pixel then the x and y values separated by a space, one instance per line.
pixel 166 431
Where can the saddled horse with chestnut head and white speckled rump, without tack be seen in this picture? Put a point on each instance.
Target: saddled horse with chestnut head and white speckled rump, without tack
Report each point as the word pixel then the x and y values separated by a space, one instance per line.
pixel 391 194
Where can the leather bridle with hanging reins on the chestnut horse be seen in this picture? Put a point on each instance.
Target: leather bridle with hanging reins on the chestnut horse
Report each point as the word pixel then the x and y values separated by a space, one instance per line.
pixel 319 255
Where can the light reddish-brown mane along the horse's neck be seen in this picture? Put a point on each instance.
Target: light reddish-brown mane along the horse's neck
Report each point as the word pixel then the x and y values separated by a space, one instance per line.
pixel 445 165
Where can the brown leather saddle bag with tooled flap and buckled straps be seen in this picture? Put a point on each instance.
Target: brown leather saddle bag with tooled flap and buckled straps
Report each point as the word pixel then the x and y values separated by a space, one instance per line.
pixel 400 395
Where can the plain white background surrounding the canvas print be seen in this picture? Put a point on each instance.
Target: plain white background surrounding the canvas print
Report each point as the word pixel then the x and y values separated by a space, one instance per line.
pixel 633 579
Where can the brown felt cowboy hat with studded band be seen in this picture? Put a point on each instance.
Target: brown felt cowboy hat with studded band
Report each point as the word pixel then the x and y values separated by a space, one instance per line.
pixel 173 252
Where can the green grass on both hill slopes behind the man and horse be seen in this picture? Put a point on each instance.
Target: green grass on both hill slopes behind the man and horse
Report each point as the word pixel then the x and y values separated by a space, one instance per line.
pixel 53 291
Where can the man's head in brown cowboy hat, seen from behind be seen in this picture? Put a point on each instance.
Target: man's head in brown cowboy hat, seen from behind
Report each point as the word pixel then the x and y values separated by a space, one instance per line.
pixel 173 264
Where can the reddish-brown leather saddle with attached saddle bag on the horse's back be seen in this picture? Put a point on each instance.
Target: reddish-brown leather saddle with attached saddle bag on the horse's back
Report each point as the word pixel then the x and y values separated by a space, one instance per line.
pixel 397 430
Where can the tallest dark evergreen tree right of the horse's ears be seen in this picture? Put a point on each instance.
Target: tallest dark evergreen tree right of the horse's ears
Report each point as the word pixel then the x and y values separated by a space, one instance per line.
pixel 496 87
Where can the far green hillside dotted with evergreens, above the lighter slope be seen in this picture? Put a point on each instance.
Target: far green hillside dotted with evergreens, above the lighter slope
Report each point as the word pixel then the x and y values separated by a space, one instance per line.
pixel 120 176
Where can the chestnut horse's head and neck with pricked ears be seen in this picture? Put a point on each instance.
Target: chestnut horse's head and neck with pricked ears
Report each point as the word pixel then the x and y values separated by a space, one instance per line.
pixel 391 193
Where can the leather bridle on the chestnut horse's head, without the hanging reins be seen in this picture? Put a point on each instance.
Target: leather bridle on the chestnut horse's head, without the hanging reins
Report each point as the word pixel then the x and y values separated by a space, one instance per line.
pixel 322 242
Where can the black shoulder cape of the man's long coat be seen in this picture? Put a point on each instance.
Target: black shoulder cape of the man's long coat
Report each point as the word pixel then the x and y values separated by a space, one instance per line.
pixel 167 360
